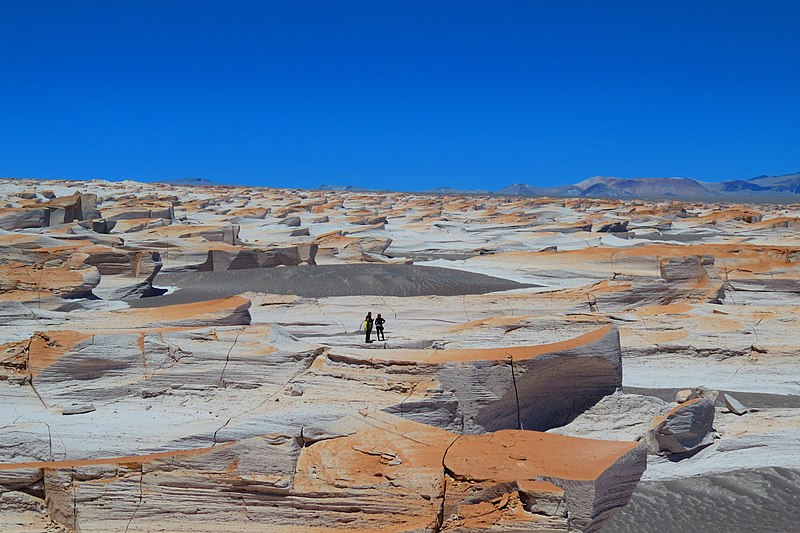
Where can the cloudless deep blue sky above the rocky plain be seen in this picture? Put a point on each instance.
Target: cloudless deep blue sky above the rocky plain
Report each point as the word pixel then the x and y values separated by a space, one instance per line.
pixel 406 95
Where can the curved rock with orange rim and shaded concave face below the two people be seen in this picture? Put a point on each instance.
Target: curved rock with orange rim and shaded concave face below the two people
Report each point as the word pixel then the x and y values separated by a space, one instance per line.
pixel 550 386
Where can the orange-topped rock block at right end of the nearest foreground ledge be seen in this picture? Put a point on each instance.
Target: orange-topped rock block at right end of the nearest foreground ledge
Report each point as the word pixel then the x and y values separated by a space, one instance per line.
pixel 515 480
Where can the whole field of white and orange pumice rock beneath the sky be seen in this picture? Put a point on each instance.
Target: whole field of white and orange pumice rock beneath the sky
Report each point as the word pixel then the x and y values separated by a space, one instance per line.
pixel 193 359
